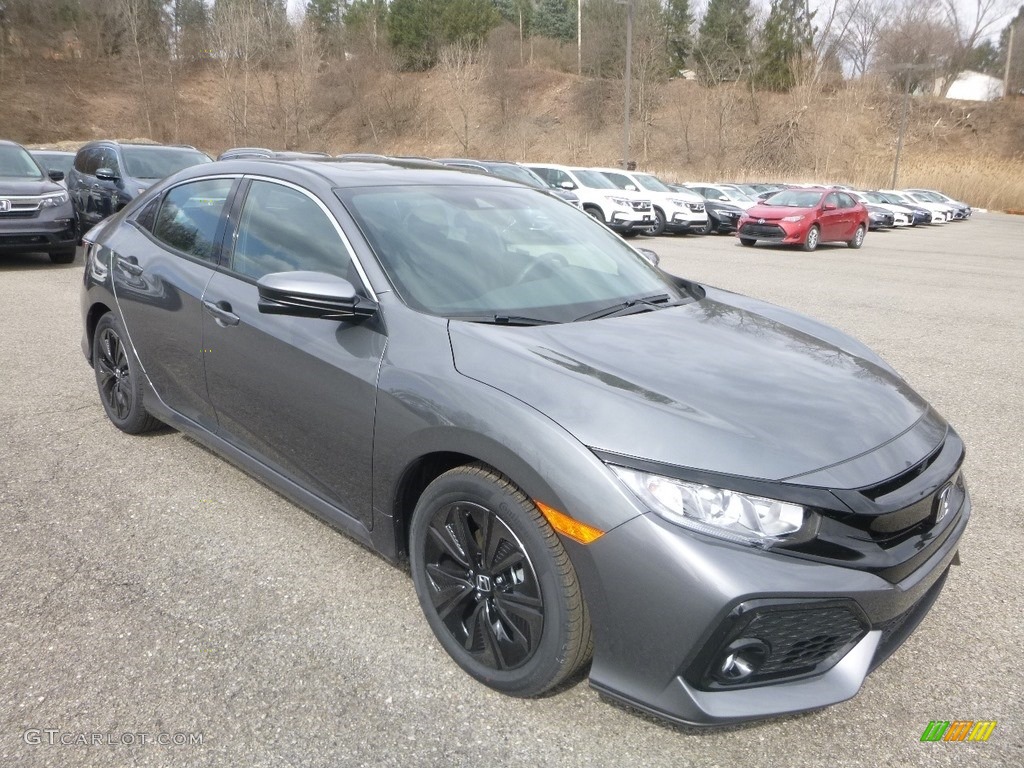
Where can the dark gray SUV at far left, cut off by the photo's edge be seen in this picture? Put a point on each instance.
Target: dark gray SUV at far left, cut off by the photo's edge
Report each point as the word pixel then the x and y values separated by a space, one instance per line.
pixel 36 216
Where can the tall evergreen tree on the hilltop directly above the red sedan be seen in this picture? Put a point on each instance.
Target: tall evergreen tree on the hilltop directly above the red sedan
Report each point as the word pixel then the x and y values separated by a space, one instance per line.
pixel 786 46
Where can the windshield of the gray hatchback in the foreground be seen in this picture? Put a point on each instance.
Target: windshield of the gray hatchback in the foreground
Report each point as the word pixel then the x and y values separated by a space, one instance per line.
pixel 494 254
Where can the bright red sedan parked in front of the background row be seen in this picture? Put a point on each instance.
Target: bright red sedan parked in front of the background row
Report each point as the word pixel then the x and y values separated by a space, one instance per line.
pixel 805 218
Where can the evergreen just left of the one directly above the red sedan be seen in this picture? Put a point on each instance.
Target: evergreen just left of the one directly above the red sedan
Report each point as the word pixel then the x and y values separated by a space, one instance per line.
pixel 723 51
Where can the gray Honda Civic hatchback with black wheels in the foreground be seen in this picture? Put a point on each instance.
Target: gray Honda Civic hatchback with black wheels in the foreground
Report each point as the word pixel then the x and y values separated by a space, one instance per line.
pixel 730 510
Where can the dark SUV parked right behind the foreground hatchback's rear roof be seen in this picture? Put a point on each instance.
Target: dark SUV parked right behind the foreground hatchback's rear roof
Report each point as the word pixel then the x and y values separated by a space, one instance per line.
pixel 107 176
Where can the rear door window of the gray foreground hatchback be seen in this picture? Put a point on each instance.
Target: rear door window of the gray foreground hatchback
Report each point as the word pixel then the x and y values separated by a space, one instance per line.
pixel 191 216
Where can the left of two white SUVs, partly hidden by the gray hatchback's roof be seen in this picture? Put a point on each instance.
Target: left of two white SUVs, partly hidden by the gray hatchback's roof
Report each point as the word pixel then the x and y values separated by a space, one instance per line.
pixel 626 212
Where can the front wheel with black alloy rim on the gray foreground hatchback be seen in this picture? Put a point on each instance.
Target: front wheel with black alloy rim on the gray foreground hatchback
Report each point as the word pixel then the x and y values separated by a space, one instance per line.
pixel 521 630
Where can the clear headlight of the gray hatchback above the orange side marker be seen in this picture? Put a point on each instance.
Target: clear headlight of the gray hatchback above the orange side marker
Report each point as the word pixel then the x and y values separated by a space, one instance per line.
pixel 728 515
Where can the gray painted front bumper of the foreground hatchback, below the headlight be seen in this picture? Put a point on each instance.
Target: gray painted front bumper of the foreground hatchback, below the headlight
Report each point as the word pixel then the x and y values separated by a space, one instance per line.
pixel 659 622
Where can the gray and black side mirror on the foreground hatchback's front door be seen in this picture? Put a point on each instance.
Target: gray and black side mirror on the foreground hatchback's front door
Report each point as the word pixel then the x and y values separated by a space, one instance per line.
pixel 313 295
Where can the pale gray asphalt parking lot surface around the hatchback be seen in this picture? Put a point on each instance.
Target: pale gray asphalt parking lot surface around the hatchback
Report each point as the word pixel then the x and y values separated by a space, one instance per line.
pixel 149 588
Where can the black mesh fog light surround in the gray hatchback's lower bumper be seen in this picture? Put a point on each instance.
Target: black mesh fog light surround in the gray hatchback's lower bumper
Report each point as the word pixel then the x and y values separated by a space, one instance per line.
pixel 799 641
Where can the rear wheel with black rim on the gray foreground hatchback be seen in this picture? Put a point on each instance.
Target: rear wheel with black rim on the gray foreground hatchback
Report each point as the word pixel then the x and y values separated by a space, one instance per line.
pixel 118 379
